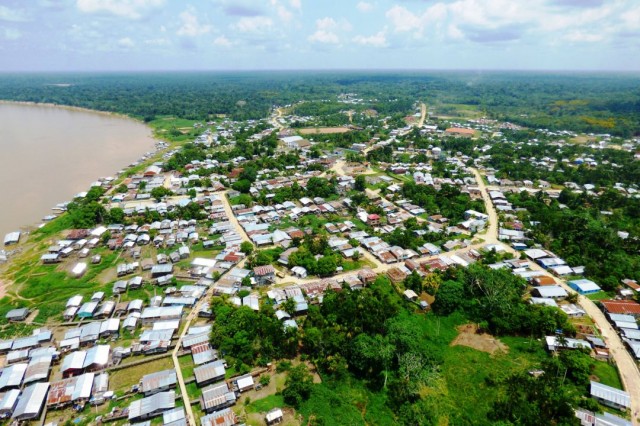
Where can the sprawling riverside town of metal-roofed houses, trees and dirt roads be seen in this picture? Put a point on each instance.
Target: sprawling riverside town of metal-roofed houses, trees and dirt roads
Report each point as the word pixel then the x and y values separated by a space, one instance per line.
pixel 187 289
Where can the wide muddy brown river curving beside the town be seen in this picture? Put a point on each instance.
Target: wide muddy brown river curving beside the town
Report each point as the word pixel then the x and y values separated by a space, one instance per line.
pixel 48 154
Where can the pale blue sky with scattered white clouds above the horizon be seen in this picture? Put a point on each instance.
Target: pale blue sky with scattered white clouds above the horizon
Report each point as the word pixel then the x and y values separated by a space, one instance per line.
pixel 137 35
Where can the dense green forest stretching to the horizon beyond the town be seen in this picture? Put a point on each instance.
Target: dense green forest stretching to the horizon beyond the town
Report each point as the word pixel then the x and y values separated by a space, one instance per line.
pixel 603 103
